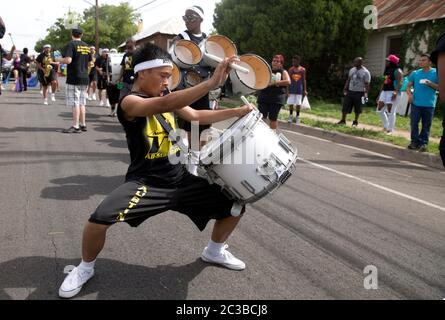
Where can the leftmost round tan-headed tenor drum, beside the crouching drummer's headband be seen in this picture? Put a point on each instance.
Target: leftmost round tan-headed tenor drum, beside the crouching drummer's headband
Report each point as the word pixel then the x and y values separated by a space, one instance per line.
pixel 185 53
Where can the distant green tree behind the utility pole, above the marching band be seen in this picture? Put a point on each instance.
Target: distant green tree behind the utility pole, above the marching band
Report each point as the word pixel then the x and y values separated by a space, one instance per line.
pixel 116 24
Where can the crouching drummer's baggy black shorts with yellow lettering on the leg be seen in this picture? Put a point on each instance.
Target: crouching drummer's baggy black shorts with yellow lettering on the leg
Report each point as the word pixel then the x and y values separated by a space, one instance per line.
pixel 135 201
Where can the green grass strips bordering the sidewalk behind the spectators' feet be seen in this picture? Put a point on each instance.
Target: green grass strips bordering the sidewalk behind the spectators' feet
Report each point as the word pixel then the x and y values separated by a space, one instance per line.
pixel 369 116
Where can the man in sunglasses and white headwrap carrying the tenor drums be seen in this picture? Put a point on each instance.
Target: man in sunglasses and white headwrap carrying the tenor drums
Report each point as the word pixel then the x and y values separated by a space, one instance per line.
pixel 193 18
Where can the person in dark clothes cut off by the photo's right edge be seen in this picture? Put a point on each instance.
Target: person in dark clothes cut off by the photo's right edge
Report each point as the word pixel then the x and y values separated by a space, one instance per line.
pixel 438 58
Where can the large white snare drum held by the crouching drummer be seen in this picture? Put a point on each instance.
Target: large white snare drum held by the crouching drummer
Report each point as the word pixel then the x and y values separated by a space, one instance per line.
pixel 249 160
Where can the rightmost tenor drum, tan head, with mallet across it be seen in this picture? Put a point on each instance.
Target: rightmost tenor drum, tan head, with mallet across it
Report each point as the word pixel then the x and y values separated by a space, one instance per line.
pixel 258 78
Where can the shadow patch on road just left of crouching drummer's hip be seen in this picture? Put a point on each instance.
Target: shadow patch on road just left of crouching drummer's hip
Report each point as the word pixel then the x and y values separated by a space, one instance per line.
pixel 81 187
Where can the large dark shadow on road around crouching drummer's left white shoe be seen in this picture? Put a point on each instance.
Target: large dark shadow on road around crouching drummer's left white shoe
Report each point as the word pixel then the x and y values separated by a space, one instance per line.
pixel 39 278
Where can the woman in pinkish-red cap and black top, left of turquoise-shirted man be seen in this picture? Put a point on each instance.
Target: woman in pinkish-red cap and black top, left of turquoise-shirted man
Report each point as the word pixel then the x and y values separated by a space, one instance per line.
pixel 389 97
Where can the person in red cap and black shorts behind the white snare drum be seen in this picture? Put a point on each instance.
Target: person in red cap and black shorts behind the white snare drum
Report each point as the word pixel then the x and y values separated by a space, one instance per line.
pixel 271 99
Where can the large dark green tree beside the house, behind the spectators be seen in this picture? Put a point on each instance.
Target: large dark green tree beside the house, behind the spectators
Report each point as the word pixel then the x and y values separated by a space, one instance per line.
pixel 327 34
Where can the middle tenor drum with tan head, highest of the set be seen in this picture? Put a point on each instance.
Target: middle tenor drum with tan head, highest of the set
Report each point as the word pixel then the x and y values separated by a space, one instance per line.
pixel 217 45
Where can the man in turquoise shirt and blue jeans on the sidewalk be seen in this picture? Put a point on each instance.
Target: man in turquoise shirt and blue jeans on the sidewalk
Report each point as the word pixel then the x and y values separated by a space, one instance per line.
pixel 423 102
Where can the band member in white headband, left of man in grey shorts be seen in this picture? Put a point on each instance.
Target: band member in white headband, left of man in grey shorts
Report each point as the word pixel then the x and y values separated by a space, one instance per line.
pixel 46 72
